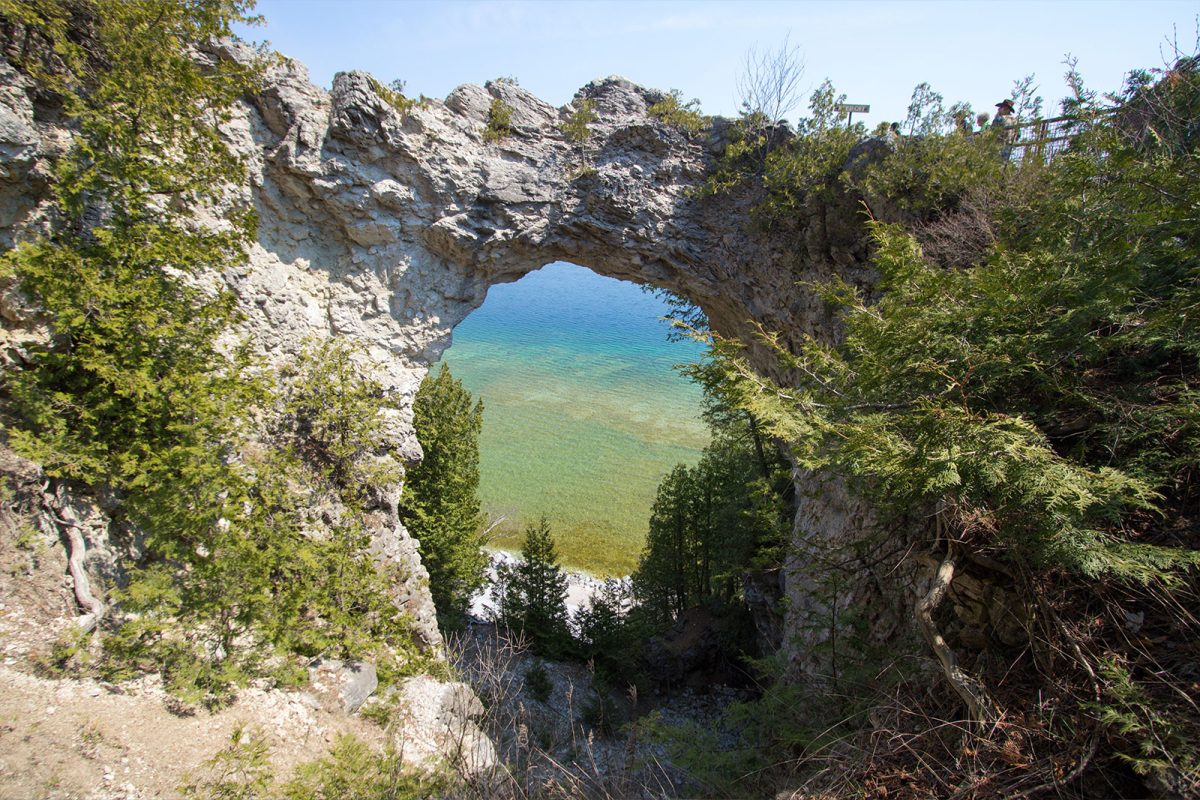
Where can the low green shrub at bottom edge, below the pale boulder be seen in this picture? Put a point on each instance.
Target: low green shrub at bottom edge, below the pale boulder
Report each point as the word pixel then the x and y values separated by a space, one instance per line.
pixel 353 769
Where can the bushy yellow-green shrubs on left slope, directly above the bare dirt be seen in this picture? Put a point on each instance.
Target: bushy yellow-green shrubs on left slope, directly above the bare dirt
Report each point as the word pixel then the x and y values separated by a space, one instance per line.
pixel 211 605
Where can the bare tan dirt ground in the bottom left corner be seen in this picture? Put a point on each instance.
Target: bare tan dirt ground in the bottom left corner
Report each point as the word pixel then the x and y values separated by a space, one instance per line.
pixel 80 739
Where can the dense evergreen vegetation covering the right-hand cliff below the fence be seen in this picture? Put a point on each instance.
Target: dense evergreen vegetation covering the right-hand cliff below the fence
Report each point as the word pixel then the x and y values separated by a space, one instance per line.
pixel 1017 396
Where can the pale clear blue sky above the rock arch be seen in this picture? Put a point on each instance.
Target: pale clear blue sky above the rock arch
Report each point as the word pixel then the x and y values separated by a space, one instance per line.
pixel 875 52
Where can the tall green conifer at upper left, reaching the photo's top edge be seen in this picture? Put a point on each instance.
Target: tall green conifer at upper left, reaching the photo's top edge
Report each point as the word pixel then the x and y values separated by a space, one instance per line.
pixel 134 369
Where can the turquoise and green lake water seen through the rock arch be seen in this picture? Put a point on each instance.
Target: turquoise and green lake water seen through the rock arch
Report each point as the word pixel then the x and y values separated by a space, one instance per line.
pixel 584 413
